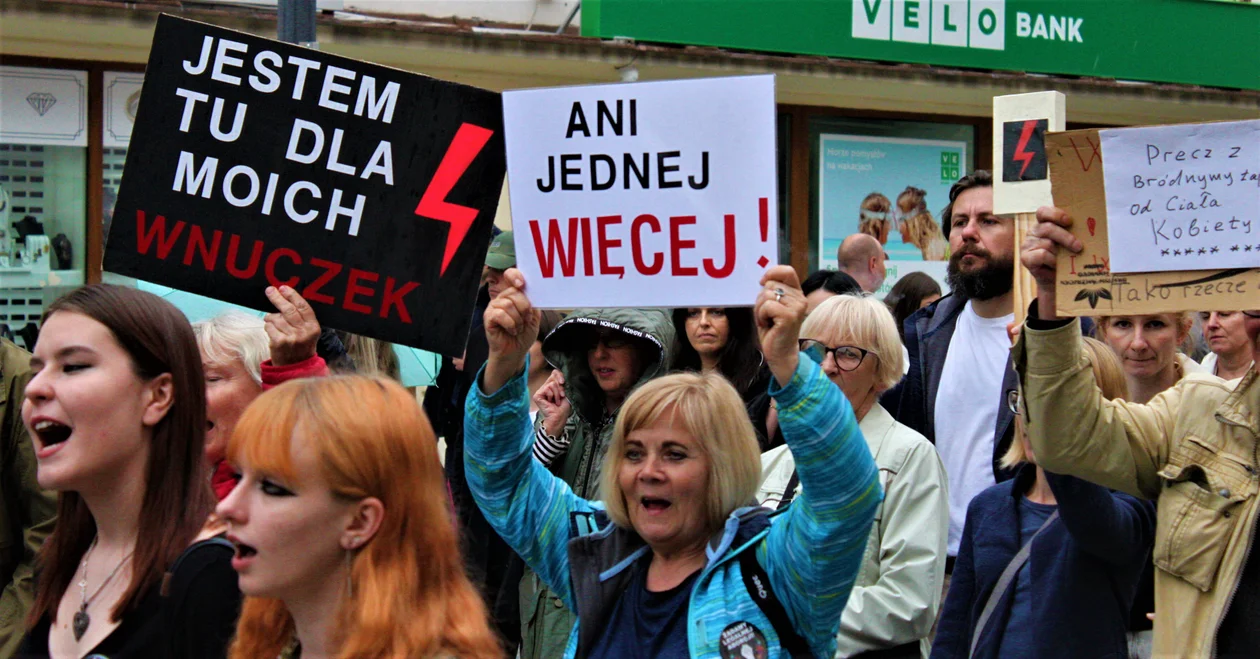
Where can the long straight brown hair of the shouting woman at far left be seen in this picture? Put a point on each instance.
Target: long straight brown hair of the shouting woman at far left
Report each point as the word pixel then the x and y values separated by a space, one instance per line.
pixel 178 500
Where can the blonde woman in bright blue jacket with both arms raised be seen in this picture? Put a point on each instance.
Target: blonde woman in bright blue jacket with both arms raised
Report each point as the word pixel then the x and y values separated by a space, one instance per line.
pixel 671 564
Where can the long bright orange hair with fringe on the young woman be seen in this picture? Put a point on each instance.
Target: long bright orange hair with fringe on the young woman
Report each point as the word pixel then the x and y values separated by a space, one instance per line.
pixel 411 598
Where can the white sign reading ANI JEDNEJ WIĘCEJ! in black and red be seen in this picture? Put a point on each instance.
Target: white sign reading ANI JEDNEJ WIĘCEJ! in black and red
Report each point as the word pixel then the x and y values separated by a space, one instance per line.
pixel 644 195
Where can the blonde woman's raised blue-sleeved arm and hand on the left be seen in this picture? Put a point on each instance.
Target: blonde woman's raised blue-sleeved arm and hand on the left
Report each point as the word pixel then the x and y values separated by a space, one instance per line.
pixel 526 505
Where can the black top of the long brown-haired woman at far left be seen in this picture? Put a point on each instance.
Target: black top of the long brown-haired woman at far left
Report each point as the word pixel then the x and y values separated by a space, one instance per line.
pixel 196 622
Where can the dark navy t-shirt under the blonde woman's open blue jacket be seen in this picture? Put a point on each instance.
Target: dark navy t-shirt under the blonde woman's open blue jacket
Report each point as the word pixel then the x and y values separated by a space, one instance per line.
pixel 647 626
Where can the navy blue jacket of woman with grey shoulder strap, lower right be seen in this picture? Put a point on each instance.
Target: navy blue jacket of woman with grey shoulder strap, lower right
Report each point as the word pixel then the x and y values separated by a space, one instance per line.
pixel 1084 568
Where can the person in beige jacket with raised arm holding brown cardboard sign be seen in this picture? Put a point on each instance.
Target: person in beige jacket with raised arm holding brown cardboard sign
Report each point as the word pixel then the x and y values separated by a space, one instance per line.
pixel 1195 448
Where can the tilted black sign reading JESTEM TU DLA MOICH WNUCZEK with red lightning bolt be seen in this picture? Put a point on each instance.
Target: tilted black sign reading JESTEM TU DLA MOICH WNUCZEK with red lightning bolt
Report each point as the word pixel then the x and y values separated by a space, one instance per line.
pixel 370 191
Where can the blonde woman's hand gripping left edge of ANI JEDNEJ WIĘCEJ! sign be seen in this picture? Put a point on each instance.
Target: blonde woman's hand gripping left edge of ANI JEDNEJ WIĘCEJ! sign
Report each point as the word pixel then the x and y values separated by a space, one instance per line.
pixel 511 329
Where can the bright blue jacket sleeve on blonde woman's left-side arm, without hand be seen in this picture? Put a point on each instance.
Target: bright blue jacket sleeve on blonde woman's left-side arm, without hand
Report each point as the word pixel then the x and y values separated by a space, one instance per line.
pixel 525 503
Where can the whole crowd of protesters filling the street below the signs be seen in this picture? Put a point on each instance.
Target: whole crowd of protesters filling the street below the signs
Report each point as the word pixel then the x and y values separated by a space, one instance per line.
pixel 818 474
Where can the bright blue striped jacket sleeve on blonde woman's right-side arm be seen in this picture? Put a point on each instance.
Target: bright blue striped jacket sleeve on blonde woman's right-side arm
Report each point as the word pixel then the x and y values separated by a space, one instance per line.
pixel 815 550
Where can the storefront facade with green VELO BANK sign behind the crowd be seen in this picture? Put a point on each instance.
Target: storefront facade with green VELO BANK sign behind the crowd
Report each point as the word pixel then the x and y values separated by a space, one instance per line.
pixel 880 134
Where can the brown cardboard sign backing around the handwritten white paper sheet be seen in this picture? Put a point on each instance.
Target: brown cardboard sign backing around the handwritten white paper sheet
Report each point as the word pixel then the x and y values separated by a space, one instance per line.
pixel 1088 287
